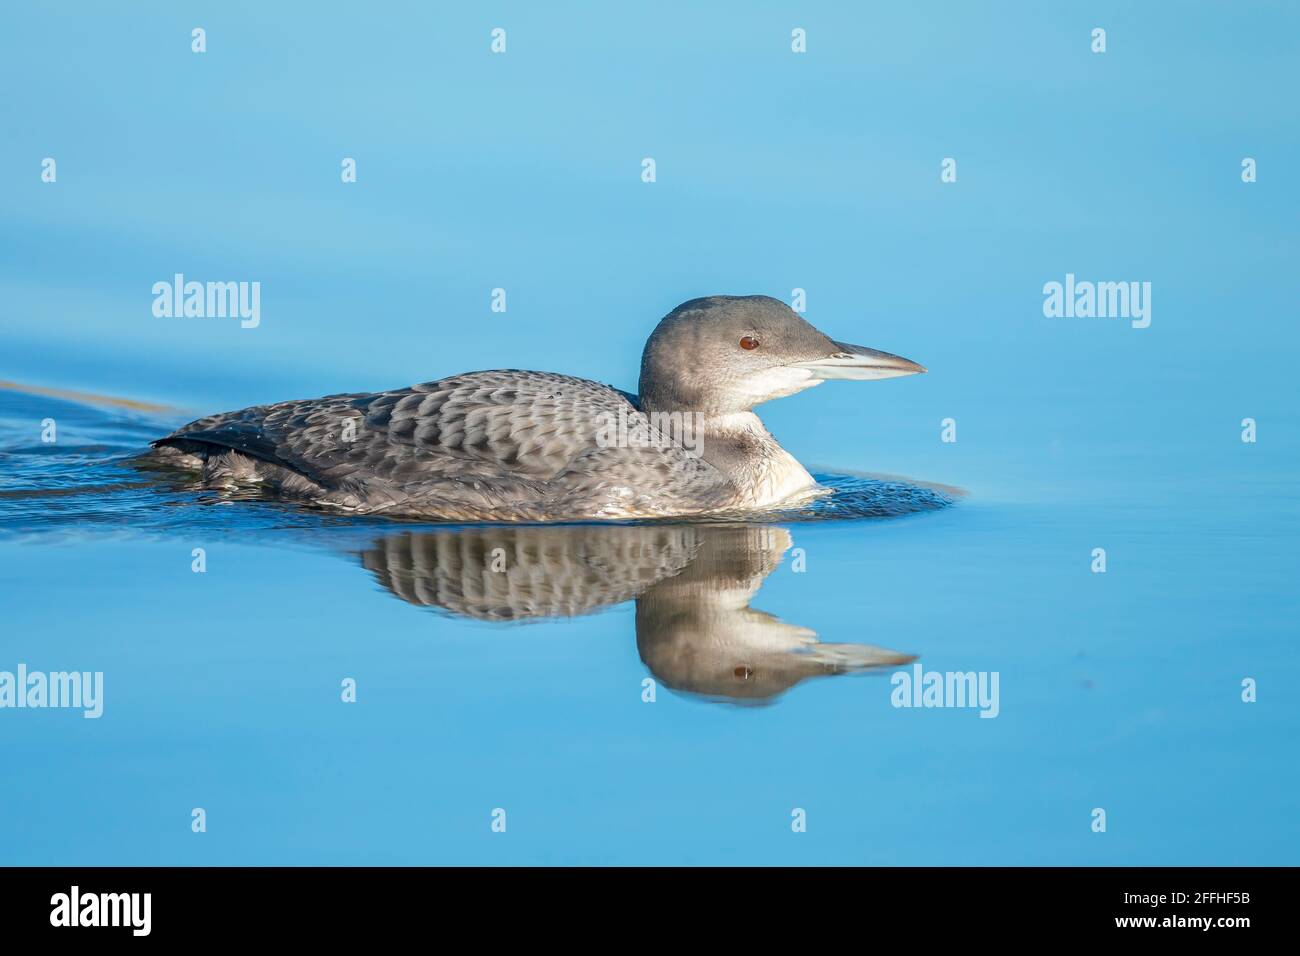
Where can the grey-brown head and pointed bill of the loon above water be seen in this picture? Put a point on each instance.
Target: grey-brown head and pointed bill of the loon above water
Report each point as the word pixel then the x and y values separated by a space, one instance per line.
pixel 729 353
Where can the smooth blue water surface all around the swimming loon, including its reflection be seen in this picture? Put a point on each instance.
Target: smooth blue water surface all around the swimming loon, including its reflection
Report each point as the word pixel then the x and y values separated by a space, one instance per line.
pixel 775 172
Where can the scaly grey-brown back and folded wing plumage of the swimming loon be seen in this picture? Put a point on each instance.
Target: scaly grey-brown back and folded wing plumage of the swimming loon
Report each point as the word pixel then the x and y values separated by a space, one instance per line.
pixel 473 447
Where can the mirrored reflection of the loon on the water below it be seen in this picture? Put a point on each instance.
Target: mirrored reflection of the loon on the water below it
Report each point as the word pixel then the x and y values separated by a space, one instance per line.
pixel 692 586
